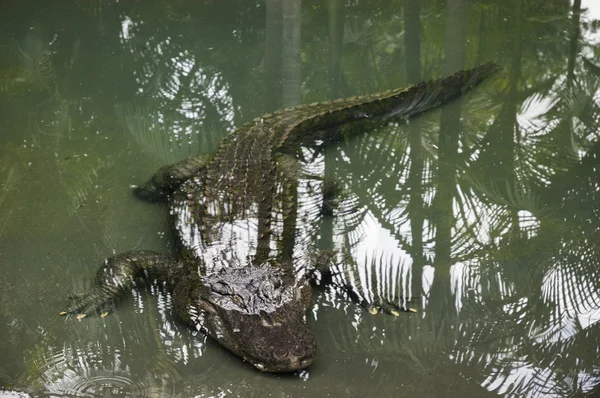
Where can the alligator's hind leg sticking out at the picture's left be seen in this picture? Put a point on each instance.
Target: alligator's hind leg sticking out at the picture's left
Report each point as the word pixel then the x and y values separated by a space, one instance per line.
pixel 168 178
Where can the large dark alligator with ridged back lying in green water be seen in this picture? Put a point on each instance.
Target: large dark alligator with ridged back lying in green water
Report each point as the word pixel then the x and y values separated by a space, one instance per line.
pixel 236 276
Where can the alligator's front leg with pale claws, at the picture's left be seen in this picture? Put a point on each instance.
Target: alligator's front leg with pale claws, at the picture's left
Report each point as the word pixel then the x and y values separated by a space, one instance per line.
pixel 117 276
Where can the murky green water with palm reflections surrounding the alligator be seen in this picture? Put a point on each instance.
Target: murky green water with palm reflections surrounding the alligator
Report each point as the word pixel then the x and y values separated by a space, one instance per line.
pixel 486 211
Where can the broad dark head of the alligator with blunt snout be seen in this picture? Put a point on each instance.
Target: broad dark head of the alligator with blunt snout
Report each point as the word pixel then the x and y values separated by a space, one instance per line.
pixel 257 312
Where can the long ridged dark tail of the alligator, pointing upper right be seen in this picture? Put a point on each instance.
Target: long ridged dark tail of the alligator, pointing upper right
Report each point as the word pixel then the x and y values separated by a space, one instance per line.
pixel 399 103
